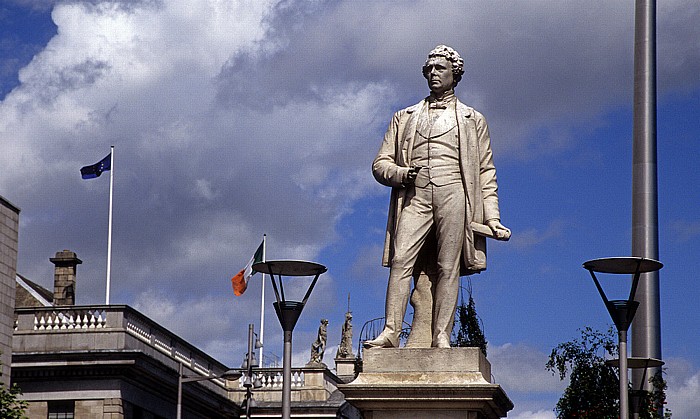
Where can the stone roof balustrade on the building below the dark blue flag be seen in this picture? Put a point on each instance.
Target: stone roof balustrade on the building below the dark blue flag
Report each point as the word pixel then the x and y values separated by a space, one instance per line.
pixel 116 319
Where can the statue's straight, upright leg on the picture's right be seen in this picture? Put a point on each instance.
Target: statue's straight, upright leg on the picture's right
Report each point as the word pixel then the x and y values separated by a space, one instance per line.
pixel 449 212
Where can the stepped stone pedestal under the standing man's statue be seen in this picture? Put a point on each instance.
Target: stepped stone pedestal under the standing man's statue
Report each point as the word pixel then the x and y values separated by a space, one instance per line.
pixel 426 383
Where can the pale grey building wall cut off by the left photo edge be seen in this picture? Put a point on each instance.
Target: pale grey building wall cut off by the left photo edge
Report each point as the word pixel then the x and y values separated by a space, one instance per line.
pixel 9 233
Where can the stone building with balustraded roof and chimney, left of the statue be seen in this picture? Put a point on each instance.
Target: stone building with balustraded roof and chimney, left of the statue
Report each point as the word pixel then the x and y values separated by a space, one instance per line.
pixel 113 362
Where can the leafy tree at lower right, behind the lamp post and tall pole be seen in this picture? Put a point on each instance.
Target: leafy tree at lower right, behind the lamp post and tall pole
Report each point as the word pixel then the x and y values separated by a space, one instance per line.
pixel 594 387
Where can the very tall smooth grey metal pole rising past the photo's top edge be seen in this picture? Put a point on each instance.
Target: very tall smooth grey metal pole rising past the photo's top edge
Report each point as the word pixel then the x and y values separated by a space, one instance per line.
pixel 646 328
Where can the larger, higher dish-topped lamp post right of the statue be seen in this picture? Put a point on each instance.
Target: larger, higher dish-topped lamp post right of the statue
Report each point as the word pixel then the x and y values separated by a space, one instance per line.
pixel 622 311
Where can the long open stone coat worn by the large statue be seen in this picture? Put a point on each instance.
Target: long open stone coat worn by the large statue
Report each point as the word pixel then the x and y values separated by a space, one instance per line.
pixel 478 177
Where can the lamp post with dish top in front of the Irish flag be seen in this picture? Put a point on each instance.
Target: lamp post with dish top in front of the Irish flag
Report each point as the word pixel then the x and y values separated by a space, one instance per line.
pixel 288 312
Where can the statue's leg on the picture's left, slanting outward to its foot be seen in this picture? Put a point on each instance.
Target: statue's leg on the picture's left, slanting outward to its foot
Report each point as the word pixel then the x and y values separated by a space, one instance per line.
pixel 414 224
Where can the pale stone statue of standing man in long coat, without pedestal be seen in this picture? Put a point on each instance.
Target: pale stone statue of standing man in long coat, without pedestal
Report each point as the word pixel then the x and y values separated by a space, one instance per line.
pixel 436 156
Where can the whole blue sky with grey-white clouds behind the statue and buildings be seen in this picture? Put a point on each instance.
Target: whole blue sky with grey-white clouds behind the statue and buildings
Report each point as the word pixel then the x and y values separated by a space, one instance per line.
pixel 236 119
